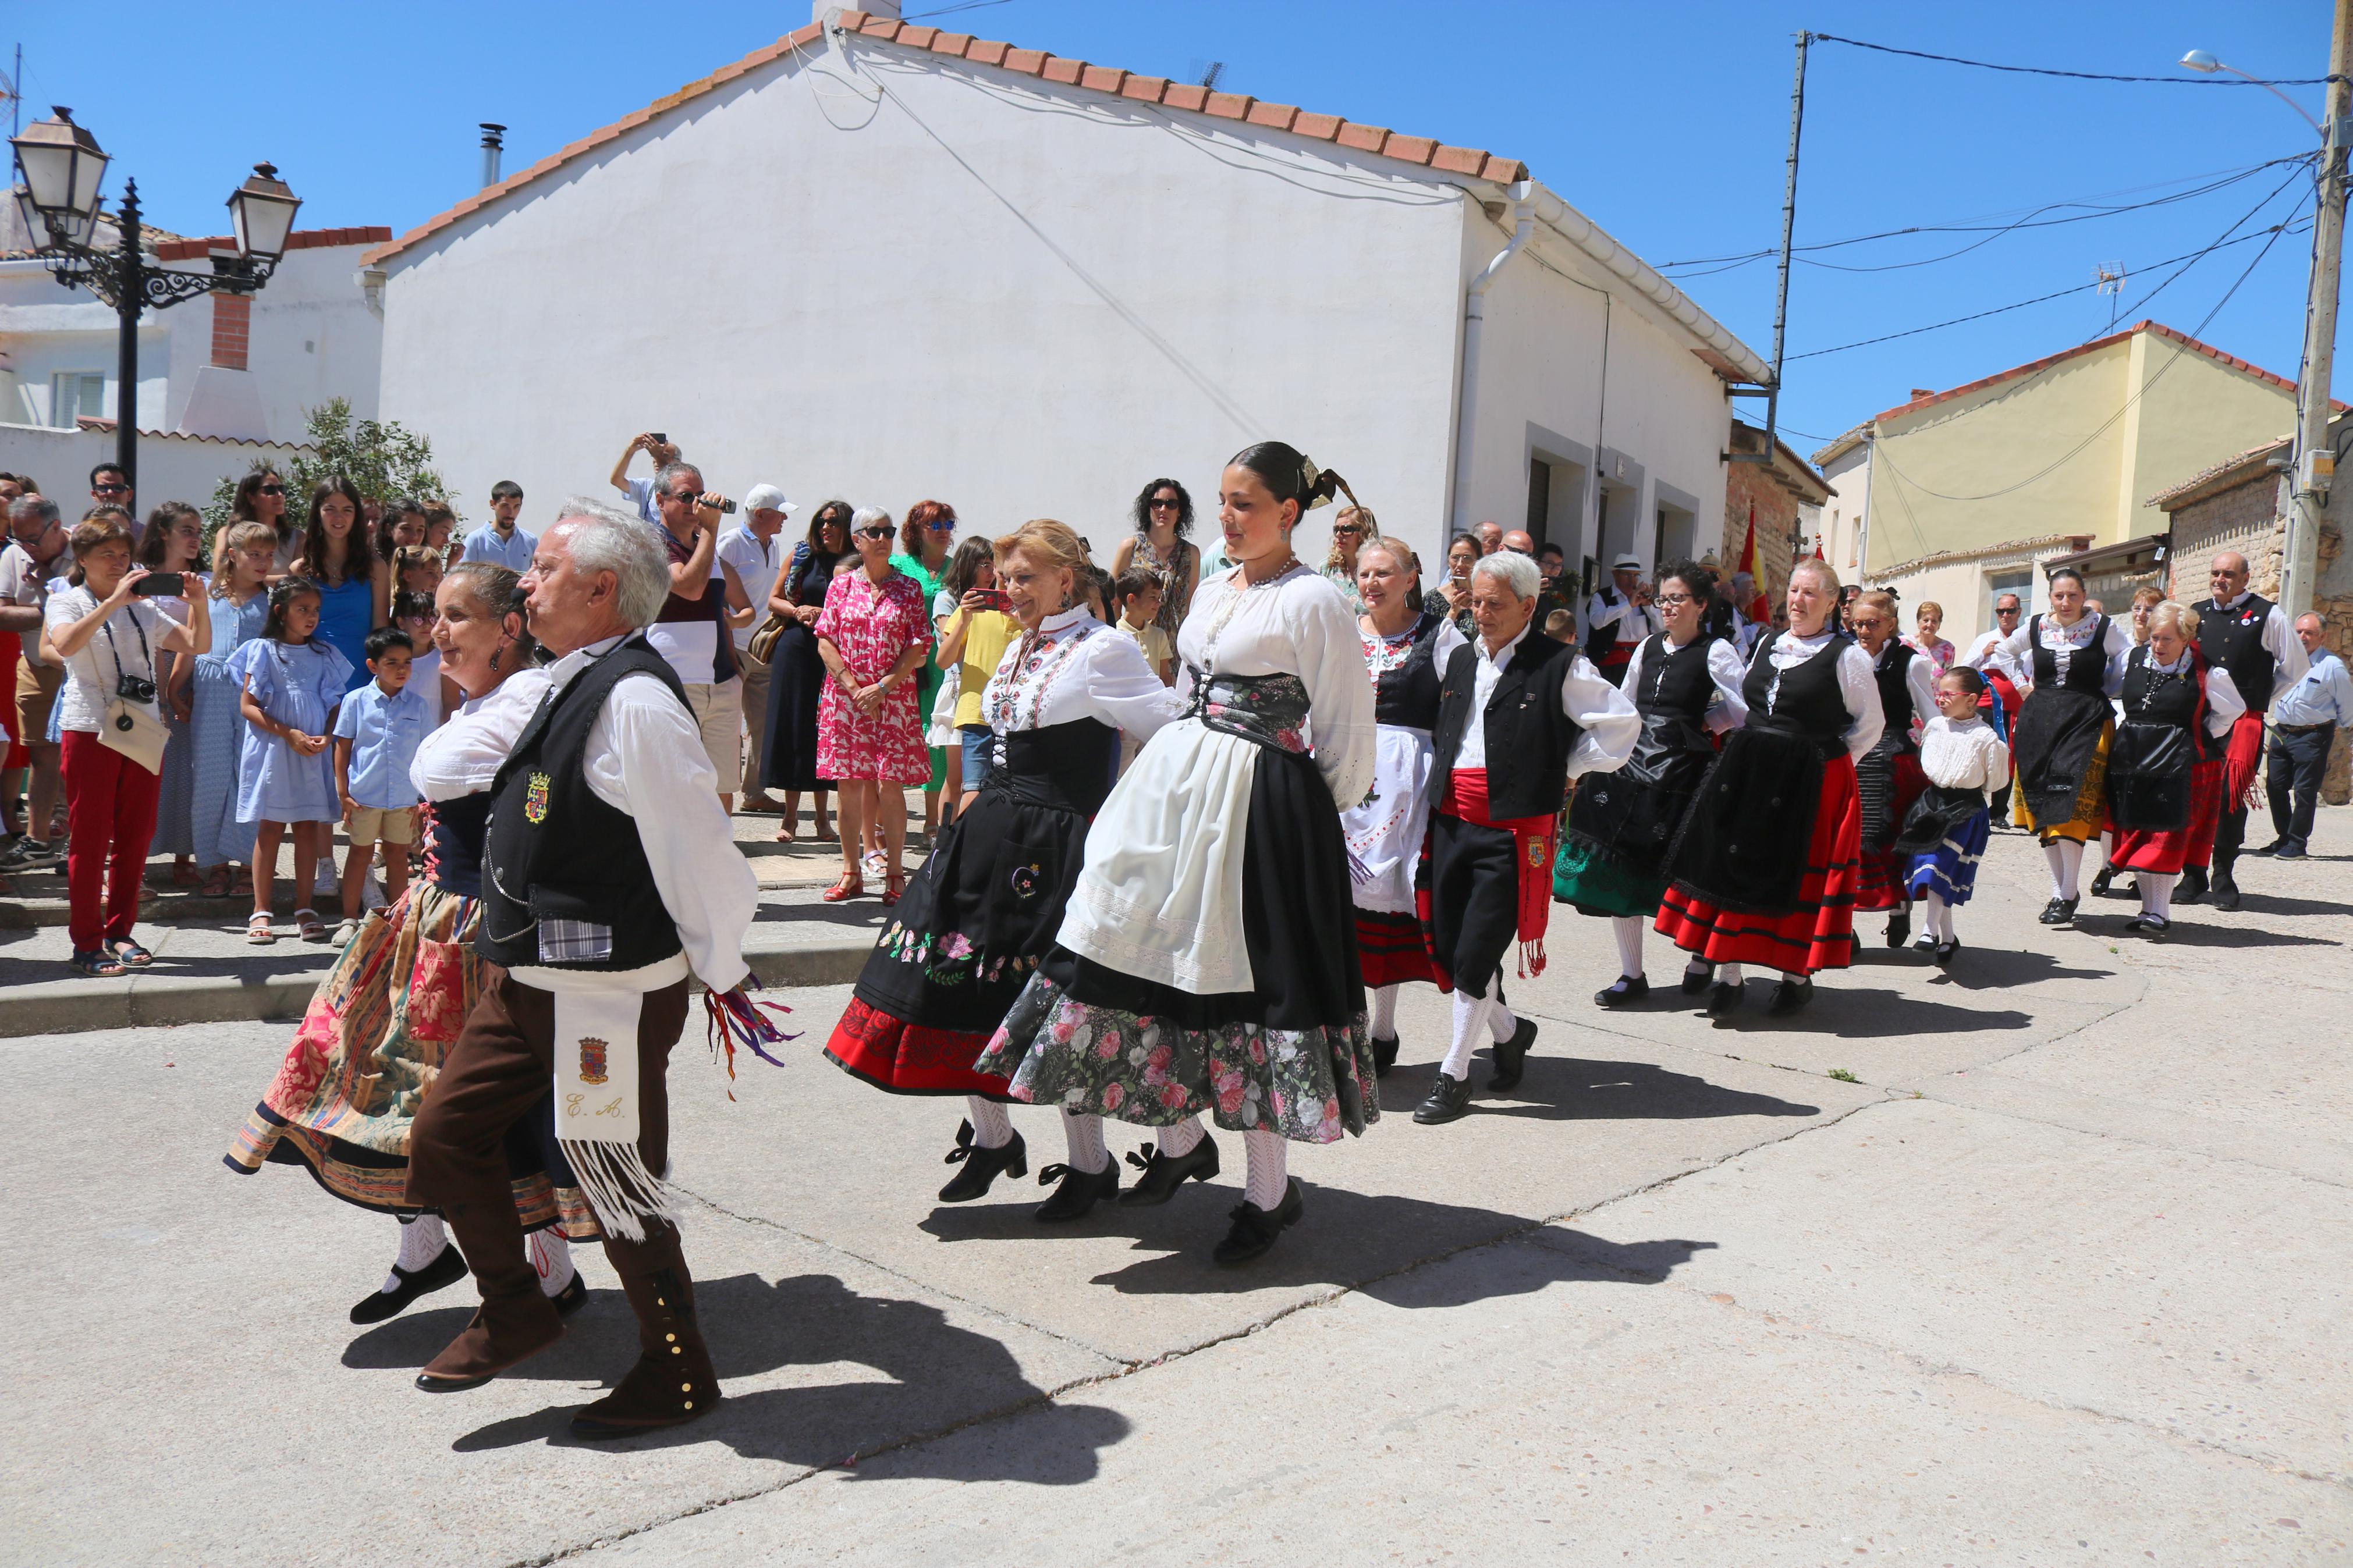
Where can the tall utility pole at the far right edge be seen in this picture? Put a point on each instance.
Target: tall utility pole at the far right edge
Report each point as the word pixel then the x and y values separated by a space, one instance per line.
pixel 2305 485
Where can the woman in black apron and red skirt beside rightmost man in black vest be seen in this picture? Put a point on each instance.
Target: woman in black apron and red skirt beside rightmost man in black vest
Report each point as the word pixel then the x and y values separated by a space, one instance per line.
pixel 2166 770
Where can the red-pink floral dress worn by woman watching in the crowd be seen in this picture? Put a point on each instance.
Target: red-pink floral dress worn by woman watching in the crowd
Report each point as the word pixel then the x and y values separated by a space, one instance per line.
pixel 874 626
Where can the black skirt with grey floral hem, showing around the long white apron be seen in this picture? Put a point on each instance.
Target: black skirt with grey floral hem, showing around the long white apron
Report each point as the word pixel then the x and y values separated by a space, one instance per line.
pixel 1288 1057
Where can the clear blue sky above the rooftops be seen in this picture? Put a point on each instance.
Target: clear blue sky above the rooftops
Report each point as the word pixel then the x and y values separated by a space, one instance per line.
pixel 1667 123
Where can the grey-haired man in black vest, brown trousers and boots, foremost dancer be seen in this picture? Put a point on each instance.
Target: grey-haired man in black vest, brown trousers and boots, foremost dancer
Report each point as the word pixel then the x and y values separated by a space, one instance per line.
pixel 611 873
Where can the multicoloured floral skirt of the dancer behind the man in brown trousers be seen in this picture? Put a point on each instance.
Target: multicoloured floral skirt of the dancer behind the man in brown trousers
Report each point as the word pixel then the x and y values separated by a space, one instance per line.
pixel 366 1057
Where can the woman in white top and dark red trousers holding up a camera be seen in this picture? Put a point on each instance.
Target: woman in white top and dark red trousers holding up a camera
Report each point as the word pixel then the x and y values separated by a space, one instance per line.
pixel 107 631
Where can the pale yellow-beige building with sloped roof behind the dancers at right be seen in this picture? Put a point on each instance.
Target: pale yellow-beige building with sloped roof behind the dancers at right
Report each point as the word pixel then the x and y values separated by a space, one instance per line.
pixel 1964 495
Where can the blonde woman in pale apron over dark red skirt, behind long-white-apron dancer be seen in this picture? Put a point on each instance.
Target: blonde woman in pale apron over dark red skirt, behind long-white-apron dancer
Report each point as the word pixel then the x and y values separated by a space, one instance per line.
pixel 1408 650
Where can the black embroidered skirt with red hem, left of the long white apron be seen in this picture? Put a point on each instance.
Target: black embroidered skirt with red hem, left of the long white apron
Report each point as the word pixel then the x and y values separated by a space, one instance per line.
pixel 968 934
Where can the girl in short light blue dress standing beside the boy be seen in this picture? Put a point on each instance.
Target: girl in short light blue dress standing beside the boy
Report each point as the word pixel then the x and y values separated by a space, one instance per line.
pixel 293 685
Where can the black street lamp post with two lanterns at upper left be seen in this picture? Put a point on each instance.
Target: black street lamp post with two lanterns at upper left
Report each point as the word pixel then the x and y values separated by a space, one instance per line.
pixel 60 168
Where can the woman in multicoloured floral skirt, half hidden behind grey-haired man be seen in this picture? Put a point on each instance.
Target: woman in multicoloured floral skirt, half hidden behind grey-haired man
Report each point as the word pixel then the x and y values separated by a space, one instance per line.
pixel 373 1043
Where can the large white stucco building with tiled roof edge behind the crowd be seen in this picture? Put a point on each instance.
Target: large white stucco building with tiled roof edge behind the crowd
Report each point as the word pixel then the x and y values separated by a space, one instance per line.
pixel 891 262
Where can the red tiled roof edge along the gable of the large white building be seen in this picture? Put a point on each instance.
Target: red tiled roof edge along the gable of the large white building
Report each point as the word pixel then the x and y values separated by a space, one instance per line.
pixel 1029 62
